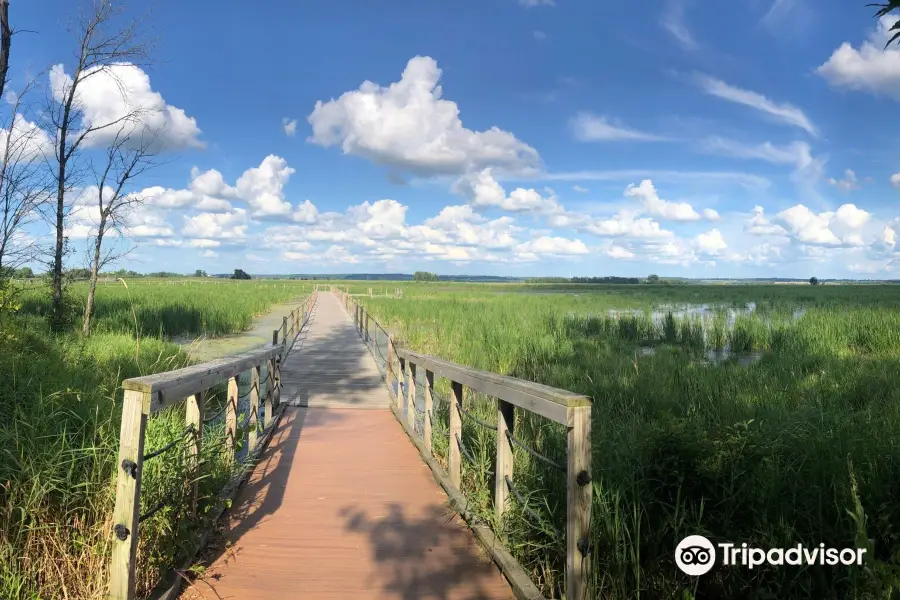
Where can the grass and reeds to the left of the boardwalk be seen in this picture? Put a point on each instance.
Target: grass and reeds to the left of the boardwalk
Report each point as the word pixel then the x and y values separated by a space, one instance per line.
pixel 60 412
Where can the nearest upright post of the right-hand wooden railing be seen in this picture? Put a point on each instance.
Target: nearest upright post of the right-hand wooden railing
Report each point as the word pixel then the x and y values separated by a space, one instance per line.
pixel 578 502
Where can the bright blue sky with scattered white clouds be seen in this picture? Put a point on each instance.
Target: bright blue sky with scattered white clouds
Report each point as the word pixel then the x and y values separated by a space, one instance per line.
pixel 515 137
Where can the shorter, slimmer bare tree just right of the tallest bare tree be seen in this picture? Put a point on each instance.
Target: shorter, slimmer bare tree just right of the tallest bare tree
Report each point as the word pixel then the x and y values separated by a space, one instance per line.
pixel 129 155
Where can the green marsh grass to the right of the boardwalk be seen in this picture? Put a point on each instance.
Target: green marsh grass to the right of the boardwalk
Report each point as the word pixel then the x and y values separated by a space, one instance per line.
pixel 802 446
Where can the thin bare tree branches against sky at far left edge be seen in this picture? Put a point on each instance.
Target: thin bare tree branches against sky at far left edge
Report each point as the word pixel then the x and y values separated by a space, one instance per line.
pixel 24 185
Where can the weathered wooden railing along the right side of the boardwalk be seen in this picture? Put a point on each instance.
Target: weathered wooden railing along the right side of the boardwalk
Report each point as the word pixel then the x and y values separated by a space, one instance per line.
pixel 511 395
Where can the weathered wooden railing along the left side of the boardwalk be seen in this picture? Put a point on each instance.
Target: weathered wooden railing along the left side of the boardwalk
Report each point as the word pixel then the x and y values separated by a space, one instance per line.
pixel 147 395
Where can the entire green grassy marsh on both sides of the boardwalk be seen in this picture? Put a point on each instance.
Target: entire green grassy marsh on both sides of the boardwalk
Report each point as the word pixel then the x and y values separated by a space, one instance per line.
pixel 801 446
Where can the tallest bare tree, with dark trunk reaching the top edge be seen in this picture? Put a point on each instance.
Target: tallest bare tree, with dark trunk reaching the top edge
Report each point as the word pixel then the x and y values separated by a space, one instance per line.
pixel 102 41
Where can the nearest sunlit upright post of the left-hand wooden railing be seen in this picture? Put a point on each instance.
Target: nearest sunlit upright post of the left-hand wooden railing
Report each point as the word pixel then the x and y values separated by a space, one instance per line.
pixel 135 409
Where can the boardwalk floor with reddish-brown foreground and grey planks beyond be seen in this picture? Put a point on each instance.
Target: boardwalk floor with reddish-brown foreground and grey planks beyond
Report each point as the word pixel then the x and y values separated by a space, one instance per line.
pixel 341 505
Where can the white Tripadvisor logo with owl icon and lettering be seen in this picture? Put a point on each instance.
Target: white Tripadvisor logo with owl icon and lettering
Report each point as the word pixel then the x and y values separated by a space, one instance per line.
pixel 695 555
